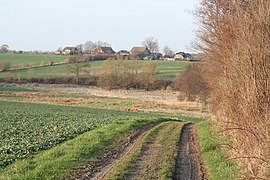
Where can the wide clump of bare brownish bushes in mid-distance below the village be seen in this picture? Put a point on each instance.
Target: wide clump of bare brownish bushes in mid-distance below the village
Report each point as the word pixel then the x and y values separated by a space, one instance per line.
pixel 124 74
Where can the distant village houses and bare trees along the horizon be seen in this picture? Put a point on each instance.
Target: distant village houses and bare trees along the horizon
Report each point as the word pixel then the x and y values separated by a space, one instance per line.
pixel 103 51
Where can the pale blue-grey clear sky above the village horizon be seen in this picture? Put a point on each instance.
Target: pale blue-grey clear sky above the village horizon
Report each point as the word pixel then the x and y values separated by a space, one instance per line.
pixel 50 24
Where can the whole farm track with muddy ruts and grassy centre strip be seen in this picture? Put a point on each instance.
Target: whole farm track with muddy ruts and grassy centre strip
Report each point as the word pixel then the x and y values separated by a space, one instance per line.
pixel 167 151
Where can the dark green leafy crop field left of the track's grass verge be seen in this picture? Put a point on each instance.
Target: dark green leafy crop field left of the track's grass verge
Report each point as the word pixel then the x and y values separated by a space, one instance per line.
pixel 26 128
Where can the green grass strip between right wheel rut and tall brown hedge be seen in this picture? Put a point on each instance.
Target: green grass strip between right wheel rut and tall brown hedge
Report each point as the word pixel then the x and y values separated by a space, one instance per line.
pixel 218 165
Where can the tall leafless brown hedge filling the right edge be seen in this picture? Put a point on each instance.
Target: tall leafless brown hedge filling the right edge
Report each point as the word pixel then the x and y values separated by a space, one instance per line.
pixel 235 38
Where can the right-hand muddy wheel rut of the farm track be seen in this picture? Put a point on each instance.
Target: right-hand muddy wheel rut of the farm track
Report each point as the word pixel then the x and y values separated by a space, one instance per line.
pixel 189 164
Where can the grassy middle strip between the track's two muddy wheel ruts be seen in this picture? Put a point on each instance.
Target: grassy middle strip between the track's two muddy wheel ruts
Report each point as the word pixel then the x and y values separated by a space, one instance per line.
pixel 156 153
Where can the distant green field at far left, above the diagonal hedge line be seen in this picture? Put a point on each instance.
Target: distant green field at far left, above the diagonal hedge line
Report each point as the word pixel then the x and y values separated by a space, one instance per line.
pixel 17 60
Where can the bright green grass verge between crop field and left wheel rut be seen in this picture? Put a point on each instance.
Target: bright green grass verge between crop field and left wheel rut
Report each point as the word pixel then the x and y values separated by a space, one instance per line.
pixel 60 161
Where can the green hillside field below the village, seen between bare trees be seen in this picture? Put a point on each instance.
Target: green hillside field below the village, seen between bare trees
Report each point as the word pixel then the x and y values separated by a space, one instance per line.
pixel 166 69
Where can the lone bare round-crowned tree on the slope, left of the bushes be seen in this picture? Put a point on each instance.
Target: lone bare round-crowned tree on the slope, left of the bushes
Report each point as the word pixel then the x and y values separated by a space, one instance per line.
pixel 78 66
